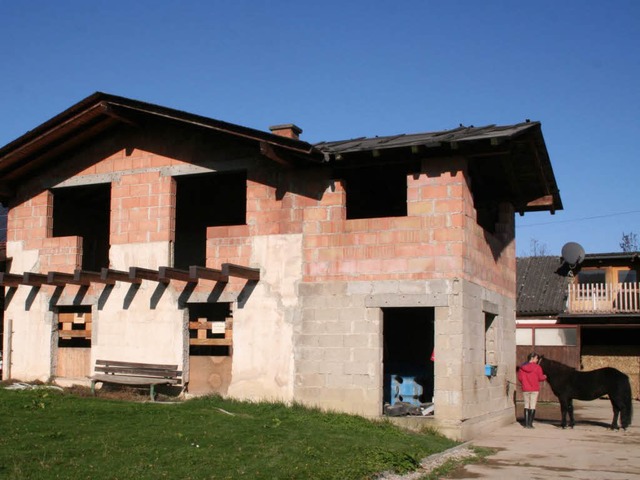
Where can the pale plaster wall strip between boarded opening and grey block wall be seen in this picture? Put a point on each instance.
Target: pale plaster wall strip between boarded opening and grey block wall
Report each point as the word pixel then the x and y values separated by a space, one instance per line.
pixel 263 324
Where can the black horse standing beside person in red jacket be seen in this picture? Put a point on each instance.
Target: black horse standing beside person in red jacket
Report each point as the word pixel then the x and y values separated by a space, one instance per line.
pixel 568 383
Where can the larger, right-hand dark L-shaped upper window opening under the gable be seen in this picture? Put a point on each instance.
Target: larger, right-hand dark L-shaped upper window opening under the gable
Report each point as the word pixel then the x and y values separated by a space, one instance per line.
pixel 206 200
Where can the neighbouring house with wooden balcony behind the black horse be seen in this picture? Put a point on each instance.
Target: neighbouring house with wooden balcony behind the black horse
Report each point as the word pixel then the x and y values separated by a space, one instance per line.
pixel 587 317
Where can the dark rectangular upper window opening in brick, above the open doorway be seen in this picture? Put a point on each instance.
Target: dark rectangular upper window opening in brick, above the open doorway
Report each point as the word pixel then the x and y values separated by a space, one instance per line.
pixel 376 192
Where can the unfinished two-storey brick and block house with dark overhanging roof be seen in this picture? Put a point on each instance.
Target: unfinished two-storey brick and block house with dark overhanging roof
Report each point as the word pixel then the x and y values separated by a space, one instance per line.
pixel 267 267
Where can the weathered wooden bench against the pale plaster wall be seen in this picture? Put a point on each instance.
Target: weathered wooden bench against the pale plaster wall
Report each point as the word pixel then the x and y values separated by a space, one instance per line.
pixel 135 374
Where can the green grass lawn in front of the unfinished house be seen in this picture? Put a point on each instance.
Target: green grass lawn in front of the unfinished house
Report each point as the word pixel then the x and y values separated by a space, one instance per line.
pixel 46 433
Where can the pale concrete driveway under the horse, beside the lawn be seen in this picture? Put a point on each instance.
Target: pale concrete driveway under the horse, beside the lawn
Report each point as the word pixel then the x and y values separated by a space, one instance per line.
pixel 590 451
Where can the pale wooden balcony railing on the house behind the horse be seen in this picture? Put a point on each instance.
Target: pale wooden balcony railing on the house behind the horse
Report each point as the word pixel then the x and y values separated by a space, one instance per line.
pixel 604 298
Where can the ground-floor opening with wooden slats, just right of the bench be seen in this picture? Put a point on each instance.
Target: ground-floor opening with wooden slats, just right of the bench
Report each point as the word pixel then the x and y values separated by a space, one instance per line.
pixel 210 329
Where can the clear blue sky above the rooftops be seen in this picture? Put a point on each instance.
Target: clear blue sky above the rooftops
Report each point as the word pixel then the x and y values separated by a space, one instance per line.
pixel 361 68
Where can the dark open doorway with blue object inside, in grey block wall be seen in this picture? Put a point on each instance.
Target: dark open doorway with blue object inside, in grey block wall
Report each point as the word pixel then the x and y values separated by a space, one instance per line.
pixel 408 347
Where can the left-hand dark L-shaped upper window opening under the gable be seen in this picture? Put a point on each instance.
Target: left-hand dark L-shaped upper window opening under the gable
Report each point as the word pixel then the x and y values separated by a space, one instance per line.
pixel 84 211
